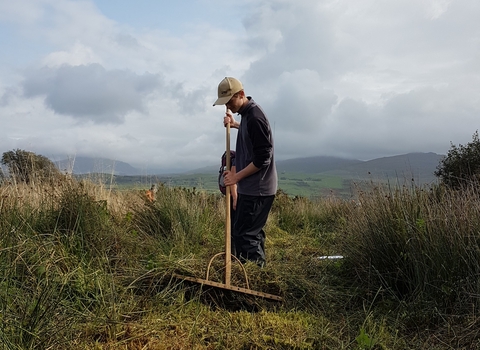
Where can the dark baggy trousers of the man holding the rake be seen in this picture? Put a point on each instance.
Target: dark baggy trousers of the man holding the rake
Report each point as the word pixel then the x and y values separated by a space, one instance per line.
pixel 248 236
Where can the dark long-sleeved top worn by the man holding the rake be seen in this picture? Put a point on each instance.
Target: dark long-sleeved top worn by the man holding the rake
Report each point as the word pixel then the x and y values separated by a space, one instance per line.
pixel 255 144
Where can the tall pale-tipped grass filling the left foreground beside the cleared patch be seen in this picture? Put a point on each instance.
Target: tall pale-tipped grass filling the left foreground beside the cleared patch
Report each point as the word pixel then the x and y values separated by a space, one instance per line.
pixel 60 253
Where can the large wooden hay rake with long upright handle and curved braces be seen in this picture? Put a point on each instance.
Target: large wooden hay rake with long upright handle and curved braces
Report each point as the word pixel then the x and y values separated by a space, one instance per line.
pixel 227 253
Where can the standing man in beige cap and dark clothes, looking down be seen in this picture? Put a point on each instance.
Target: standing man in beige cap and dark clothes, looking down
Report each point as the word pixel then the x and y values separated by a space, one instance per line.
pixel 254 172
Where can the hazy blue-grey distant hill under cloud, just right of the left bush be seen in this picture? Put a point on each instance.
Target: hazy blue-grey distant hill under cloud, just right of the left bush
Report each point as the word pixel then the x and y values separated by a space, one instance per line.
pixel 86 165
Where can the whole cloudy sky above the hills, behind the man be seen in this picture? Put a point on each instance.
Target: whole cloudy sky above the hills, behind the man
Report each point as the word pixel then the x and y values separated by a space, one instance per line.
pixel 135 81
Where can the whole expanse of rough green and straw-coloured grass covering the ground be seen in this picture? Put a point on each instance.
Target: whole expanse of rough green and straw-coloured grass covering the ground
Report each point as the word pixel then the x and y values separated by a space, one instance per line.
pixel 83 266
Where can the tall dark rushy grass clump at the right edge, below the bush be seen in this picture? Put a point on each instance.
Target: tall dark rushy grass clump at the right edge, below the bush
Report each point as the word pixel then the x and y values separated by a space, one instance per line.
pixel 419 245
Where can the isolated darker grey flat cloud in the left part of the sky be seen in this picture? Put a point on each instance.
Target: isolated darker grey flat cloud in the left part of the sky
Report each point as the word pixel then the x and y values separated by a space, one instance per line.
pixel 91 92
